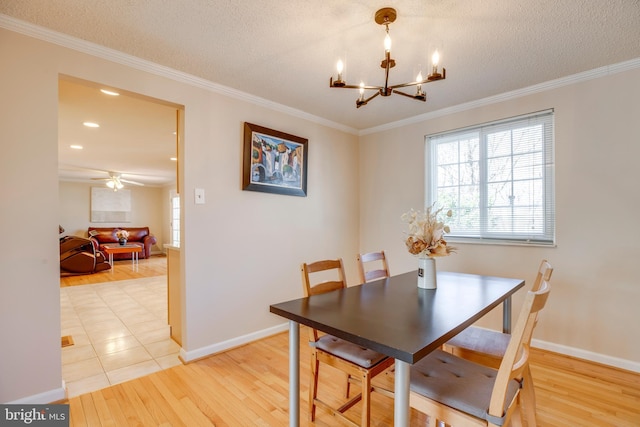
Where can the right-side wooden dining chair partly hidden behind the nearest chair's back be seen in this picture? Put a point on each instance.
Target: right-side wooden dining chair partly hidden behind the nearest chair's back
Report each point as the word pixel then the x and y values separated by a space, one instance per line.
pixel 488 347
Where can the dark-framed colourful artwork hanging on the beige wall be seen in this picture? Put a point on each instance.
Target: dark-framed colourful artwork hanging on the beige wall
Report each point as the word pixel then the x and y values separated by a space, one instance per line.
pixel 274 162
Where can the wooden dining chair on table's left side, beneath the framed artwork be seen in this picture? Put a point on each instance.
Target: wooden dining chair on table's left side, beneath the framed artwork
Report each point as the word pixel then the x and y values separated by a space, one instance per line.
pixel 359 364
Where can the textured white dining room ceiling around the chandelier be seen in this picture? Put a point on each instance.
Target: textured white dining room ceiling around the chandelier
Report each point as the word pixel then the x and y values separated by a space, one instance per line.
pixel 285 52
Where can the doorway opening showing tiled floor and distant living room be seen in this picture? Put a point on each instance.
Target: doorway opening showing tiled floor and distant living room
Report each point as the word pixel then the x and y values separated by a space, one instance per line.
pixel 117 319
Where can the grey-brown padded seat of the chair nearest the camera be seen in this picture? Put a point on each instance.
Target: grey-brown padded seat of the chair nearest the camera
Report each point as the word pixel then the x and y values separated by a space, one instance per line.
pixel 458 383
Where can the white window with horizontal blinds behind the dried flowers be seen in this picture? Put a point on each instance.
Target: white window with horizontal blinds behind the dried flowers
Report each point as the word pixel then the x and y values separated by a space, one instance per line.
pixel 541 211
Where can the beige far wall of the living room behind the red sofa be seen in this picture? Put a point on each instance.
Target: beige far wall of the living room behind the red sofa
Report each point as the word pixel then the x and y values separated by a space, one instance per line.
pixel 147 210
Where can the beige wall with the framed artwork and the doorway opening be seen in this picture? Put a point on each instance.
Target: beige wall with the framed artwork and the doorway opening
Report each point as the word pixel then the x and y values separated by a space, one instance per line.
pixel 242 250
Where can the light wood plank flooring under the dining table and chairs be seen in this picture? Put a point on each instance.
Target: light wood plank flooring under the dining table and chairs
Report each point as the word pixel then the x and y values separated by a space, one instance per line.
pixel 248 386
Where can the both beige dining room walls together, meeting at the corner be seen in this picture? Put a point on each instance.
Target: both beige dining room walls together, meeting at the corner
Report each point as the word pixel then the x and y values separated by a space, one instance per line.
pixel 241 250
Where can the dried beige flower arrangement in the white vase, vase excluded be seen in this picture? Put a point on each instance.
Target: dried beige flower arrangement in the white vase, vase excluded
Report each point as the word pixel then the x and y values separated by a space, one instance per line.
pixel 425 237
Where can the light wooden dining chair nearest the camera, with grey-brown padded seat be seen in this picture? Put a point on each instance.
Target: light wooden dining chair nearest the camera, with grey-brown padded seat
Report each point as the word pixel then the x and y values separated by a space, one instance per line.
pixel 463 393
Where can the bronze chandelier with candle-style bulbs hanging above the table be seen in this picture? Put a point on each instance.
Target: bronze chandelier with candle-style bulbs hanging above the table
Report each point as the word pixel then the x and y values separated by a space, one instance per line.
pixel 386 16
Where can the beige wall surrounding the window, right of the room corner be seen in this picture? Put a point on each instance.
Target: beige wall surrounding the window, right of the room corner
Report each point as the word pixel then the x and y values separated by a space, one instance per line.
pixel 592 311
